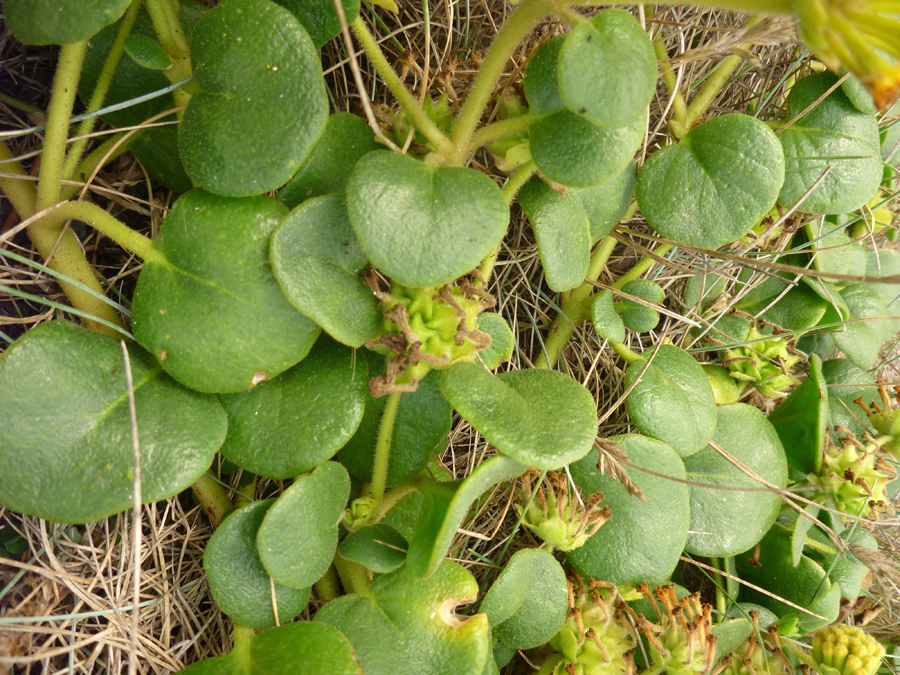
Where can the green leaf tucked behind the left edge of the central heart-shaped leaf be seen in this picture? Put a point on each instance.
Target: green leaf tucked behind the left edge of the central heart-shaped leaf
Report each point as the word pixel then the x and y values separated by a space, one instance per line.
pixel 317 260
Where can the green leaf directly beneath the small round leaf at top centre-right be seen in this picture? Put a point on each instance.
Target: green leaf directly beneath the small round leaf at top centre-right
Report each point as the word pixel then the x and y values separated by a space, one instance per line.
pixel 572 151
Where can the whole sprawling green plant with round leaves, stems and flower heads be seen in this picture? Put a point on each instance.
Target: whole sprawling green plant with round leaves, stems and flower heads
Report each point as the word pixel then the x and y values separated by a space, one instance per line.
pixel 325 336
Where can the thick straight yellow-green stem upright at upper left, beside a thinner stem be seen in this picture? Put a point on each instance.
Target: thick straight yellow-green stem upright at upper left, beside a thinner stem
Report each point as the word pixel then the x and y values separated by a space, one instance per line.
pixel 65 86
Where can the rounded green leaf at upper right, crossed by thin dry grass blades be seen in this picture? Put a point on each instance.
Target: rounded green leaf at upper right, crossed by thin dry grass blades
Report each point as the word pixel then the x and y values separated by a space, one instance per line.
pixel 833 133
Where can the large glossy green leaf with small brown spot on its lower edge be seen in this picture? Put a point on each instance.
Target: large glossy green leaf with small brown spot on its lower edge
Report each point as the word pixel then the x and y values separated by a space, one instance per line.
pixel 210 309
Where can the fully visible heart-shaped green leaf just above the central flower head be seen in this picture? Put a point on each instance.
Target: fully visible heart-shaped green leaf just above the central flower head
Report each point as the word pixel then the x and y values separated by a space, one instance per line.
pixel 424 225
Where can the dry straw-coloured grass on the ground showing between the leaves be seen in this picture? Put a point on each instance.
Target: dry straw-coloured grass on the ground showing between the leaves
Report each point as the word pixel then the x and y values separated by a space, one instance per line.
pixel 65 605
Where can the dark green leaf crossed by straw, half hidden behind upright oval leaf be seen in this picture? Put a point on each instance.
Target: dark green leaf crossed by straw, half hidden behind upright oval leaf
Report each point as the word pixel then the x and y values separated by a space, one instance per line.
pixel 237 579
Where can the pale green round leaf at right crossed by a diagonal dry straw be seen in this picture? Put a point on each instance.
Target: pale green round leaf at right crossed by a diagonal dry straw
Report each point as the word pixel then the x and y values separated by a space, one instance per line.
pixel 725 521
